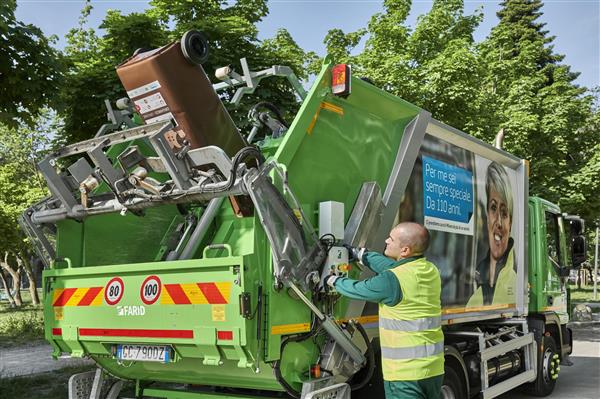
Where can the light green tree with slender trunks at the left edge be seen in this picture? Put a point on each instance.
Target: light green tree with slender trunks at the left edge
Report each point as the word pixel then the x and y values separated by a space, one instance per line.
pixel 20 150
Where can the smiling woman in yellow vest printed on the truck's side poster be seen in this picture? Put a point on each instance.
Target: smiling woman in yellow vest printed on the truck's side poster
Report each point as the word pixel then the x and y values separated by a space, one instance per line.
pixel 495 276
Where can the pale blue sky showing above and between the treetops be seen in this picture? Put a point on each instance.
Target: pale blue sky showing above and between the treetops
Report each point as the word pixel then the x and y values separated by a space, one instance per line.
pixel 574 23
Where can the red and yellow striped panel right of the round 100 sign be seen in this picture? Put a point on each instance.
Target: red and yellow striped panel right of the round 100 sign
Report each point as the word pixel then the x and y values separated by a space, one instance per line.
pixel 196 294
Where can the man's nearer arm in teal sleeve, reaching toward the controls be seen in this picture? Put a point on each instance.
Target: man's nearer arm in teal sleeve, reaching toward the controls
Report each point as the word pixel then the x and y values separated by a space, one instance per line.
pixel 382 288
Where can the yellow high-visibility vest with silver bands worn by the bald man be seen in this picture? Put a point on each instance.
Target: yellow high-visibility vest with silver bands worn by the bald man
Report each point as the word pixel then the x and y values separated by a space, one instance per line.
pixel 412 341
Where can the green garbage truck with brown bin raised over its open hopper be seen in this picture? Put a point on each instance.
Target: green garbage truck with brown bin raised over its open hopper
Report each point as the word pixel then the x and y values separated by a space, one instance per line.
pixel 187 255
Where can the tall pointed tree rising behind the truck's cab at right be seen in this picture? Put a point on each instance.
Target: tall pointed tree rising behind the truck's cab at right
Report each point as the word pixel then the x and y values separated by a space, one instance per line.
pixel 532 96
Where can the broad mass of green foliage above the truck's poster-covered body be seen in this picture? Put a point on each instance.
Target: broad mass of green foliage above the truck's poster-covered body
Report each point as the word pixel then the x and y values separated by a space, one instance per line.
pixel 513 81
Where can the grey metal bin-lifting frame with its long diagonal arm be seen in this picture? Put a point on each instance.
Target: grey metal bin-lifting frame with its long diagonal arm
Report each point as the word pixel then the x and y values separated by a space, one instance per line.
pixel 297 252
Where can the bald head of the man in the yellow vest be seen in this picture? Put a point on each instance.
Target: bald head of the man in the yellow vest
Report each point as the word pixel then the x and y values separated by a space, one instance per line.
pixel 407 239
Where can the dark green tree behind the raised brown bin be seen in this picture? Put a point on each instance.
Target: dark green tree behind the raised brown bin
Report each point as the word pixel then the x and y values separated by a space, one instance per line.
pixel 230 29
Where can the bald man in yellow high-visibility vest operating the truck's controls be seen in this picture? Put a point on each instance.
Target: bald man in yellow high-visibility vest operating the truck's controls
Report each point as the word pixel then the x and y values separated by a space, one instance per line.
pixel 407 288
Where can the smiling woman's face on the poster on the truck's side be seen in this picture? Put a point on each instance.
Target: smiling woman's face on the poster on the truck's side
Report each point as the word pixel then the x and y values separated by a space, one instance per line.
pixel 499 223
